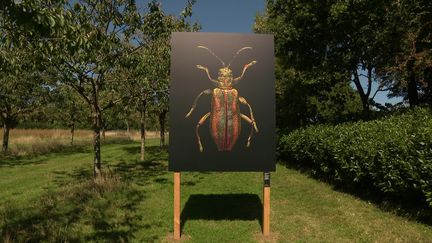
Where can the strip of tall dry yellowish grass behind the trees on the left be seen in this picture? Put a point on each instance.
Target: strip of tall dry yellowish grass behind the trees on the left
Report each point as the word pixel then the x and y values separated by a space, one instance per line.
pixel 40 141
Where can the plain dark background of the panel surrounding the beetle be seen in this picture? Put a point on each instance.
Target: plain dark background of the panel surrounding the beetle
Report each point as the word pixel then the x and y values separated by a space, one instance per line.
pixel 256 86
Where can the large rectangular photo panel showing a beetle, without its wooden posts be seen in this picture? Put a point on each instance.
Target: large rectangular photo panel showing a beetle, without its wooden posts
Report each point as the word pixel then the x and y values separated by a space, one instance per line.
pixel 222 102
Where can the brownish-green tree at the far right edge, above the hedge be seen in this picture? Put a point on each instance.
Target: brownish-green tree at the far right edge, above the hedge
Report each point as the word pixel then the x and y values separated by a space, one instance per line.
pixel 408 68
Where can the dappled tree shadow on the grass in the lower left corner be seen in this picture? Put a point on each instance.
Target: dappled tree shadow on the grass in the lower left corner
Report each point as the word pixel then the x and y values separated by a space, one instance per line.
pixel 104 210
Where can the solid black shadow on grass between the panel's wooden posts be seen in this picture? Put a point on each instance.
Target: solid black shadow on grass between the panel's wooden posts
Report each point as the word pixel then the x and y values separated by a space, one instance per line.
pixel 222 207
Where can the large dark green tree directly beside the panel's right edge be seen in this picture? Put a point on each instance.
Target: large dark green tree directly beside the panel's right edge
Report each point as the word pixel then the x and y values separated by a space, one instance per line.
pixel 319 45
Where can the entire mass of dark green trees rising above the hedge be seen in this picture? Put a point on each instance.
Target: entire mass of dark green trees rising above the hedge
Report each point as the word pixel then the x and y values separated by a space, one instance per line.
pixel 359 42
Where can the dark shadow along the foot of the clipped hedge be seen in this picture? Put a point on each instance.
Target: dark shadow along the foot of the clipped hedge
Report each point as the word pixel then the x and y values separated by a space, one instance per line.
pixel 412 210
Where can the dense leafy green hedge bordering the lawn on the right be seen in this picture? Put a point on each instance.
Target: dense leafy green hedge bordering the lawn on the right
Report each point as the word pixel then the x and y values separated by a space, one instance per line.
pixel 391 155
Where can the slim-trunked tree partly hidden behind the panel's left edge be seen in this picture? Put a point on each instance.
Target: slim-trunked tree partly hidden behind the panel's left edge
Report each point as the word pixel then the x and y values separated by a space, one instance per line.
pixel 149 68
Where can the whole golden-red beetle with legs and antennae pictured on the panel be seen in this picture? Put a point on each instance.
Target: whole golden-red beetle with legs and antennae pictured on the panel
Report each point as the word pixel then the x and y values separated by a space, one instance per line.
pixel 225 116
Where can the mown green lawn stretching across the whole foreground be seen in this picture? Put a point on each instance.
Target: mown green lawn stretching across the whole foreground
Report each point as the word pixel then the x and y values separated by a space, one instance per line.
pixel 51 198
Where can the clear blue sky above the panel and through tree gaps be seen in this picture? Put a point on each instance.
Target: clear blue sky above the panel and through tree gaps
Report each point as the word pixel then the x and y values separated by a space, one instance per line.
pixel 236 16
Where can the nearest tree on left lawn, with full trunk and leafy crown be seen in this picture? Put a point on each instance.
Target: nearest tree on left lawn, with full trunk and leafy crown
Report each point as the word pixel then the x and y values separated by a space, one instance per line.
pixel 85 54
